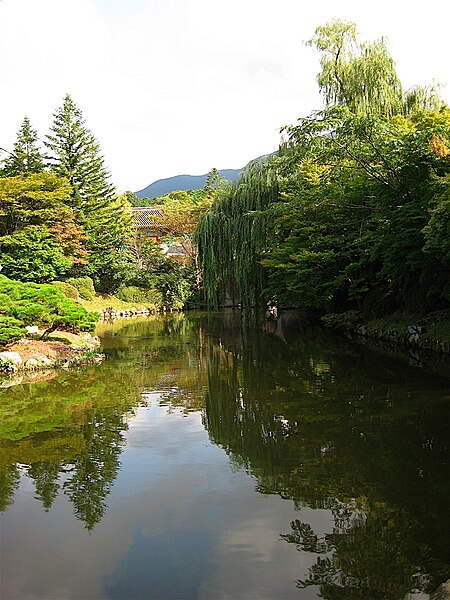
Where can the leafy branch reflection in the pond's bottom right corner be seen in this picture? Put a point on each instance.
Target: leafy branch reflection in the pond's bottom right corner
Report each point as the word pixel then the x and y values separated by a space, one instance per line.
pixel 371 554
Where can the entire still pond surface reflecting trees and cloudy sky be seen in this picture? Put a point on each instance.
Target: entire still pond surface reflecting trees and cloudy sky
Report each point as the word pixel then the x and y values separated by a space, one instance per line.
pixel 203 460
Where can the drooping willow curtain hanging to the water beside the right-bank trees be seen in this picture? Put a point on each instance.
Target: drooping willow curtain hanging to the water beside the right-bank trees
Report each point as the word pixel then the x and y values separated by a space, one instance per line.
pixel 232 237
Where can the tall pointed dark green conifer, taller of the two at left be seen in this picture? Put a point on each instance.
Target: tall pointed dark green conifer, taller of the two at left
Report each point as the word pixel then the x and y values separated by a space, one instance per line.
pixel 77 157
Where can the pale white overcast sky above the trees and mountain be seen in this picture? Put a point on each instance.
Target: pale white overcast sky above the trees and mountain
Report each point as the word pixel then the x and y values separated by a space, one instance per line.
pixel 172 87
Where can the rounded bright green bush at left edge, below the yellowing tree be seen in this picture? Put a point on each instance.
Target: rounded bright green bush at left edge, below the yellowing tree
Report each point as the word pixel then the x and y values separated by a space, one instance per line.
pixel 32 255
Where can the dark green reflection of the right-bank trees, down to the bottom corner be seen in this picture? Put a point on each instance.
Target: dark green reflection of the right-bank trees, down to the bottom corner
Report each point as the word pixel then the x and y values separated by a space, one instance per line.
pixel 370 444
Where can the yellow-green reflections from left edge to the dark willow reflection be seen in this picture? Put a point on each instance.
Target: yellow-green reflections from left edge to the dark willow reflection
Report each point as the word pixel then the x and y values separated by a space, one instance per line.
pixel 67 433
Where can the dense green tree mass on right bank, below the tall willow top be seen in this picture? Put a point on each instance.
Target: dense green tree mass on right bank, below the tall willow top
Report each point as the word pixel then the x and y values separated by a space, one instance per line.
pixel 359 220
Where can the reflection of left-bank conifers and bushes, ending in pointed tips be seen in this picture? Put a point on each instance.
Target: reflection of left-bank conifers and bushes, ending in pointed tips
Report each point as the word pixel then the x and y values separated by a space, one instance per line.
pixel 79 457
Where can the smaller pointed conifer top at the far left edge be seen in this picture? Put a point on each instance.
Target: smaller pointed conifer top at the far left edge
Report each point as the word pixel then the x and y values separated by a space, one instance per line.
pixel 26 157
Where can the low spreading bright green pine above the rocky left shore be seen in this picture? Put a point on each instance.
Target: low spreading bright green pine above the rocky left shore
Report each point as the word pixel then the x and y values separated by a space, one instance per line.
pixel 46 305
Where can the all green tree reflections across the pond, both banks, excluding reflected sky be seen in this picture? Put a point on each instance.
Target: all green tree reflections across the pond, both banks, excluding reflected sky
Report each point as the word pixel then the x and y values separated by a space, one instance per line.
pixel 313 419
